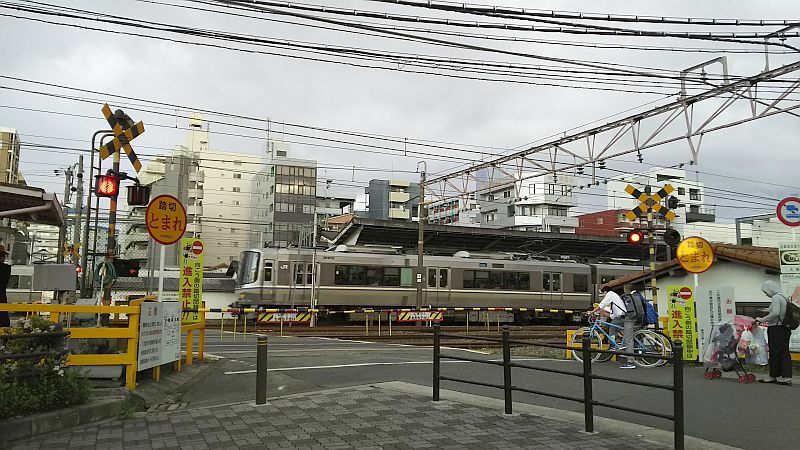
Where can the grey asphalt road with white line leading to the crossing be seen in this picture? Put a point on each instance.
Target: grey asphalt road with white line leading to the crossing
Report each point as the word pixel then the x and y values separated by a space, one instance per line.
pixel 747 416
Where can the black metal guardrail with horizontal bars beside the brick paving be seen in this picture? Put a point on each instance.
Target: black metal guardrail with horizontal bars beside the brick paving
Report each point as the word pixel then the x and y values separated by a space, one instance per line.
pixel 677 417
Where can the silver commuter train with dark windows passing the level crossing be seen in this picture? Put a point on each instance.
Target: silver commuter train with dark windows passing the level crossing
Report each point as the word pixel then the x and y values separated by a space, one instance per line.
pixel 283 278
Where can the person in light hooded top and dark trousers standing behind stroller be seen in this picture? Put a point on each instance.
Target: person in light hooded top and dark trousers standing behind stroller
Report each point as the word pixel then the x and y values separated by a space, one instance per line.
pixel 780 360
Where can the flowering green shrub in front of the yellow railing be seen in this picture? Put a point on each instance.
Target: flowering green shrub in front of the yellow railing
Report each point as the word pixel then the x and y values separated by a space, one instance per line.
pixel 40 383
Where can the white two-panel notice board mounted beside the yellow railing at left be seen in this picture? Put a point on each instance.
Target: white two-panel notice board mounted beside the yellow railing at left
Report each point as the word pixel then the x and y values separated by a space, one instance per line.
pixel 159 334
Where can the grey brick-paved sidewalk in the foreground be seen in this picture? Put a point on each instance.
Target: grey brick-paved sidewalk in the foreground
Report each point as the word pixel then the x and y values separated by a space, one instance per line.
pixel 361 417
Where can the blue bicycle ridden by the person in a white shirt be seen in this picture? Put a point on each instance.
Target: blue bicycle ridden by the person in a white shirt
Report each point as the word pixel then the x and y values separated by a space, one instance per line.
pixel 646 343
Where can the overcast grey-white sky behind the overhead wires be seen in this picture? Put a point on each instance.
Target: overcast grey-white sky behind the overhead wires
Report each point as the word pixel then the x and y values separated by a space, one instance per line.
pixel 484 116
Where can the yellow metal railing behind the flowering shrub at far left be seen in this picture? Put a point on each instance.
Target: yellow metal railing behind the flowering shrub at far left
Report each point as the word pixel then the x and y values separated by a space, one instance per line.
pixel 130 333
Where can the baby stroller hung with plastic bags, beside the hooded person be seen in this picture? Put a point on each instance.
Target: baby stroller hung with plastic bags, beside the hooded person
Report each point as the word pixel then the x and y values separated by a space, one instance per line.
pixel 731 344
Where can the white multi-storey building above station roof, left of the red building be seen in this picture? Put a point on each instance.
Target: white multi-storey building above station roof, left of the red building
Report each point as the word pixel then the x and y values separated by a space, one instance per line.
pixel 539 203
